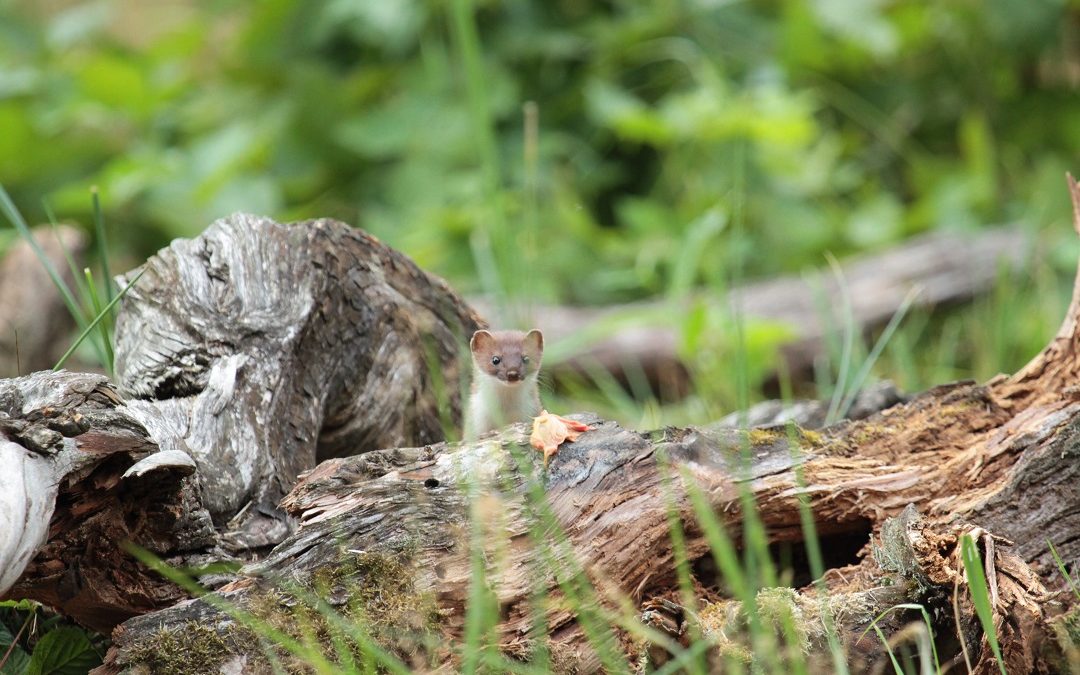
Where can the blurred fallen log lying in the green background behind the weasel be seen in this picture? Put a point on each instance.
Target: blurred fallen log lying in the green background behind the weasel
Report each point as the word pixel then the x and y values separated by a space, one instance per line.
pixel 944 267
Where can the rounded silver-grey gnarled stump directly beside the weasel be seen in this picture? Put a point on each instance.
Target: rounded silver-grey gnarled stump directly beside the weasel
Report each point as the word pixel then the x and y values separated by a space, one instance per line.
pixel 266 347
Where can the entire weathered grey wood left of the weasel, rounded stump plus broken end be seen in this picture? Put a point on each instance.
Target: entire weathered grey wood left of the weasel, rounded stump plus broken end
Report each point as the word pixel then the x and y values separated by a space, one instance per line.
pixel 249 353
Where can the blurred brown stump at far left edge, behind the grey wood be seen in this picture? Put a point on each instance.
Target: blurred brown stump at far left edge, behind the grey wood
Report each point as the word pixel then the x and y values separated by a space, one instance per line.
pixel 32 309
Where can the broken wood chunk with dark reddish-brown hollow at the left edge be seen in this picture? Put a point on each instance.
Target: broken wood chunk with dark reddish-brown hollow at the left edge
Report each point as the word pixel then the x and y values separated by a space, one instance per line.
pixel 82 477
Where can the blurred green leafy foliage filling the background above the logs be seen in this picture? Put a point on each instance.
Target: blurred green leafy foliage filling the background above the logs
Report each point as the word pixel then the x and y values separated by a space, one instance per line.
pixel 673 145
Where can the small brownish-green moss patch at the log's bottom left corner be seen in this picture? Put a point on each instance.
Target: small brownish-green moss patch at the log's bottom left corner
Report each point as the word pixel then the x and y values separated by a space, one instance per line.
pixel 192 649
